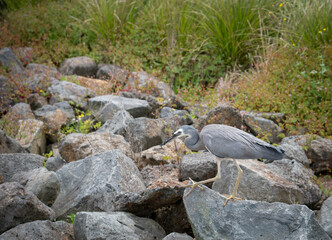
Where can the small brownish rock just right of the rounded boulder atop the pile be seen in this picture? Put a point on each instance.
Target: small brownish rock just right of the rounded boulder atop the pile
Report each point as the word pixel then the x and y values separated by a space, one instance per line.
pixel 112 73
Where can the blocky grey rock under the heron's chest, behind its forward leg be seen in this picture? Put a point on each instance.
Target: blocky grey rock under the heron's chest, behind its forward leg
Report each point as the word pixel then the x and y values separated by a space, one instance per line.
pixel 198 166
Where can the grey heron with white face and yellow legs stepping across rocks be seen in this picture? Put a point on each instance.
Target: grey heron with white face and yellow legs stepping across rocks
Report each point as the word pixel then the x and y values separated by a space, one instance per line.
pixel 226 142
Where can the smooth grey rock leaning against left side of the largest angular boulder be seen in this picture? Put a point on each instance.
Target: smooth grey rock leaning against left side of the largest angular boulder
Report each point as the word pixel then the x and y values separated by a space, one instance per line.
pixel 43 183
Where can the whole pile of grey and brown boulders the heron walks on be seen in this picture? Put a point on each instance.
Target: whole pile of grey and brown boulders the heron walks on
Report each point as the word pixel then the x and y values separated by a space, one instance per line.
pixel 119 183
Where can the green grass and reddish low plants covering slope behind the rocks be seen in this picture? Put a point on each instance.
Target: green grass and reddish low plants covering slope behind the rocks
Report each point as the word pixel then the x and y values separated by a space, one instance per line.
pixel 274 56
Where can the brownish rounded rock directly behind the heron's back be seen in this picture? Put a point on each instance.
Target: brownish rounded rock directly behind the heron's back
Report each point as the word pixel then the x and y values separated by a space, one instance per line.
pixel 222 114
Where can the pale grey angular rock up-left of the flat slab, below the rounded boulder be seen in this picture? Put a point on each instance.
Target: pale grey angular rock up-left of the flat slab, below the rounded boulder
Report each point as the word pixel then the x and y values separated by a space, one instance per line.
pixel 71 92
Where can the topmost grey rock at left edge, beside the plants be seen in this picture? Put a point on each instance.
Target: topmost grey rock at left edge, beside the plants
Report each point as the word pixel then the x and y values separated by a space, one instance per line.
pixel 10 61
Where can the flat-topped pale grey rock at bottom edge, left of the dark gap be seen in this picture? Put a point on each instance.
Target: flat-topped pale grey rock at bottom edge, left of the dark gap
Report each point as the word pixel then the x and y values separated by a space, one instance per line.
pixel 115 225
